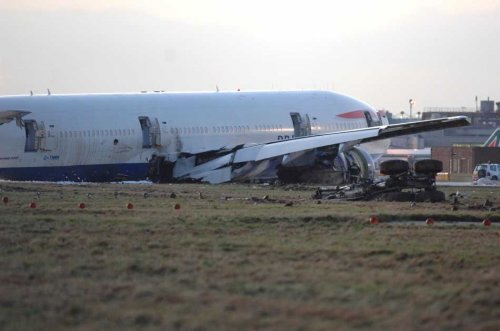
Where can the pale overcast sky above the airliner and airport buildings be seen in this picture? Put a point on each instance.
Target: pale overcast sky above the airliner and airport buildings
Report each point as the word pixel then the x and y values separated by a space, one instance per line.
pixel 385 52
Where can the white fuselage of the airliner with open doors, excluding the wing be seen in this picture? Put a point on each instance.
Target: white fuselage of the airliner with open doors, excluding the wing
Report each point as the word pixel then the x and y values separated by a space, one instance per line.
pixel 123 131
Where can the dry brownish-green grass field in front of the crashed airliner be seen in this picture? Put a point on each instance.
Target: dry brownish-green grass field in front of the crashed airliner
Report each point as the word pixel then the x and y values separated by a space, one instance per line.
pixel 242 257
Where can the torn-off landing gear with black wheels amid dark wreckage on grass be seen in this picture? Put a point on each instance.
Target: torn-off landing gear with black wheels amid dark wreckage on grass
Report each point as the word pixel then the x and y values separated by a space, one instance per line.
pixel 398 183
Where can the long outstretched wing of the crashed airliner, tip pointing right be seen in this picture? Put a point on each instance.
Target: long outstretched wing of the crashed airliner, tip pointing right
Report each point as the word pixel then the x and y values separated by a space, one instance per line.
pixel 350 138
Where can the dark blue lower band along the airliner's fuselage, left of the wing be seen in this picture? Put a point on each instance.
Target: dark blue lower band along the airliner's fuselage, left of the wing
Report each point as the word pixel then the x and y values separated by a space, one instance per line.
pixel 79 173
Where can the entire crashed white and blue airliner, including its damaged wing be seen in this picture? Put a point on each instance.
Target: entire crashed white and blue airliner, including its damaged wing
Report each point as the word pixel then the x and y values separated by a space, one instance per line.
pixel 210 137
